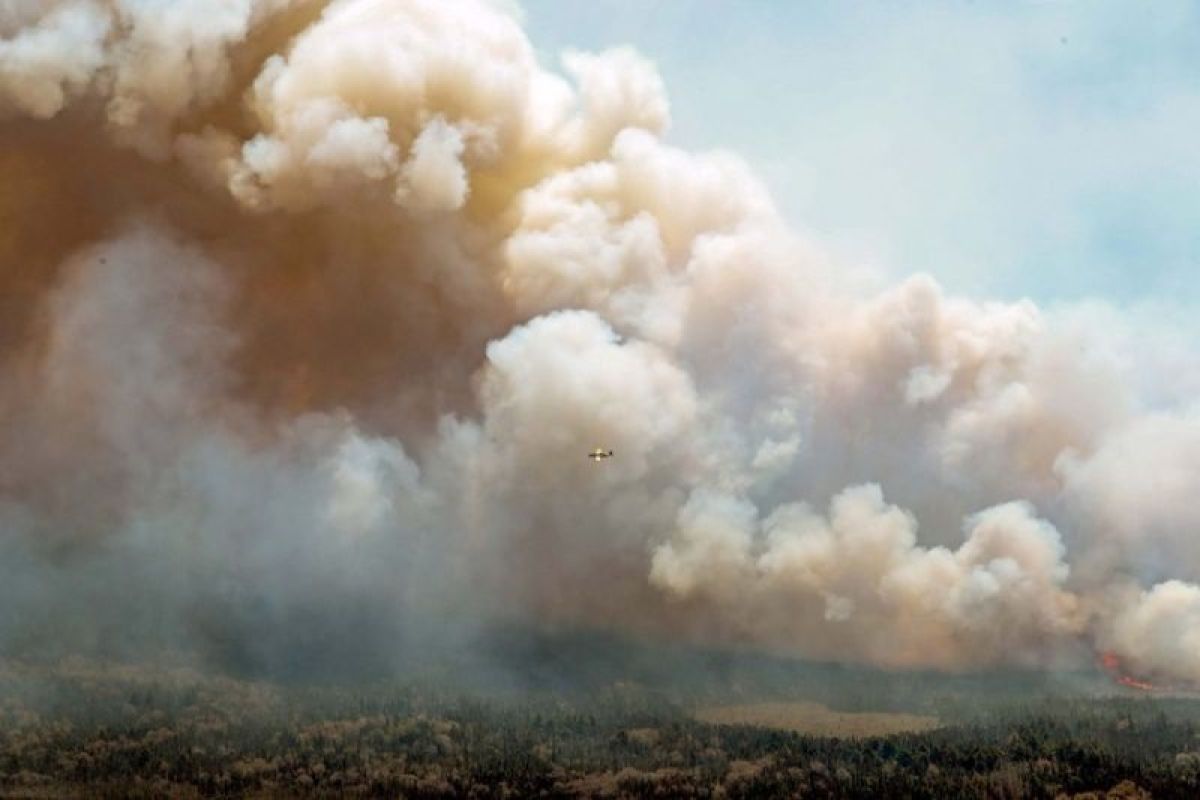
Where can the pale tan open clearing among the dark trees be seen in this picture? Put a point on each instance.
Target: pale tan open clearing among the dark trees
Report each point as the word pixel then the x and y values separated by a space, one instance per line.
pixel 817 720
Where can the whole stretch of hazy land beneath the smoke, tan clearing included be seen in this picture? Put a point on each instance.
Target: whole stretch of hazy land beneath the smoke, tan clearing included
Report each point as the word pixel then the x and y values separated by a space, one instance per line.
pixel 727 726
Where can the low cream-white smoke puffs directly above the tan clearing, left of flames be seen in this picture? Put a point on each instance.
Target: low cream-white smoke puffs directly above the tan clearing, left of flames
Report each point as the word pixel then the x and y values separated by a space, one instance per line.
pixel 859 581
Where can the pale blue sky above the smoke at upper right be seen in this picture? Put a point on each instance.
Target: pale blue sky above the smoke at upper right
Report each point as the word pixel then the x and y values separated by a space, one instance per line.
pixel 1027 148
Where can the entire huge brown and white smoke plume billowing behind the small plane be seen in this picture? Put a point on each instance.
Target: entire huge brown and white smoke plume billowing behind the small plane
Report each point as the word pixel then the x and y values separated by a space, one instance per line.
pixel 310 314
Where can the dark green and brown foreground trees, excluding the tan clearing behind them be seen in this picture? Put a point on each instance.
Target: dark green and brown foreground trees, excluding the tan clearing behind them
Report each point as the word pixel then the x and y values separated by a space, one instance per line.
pixel 127 736
